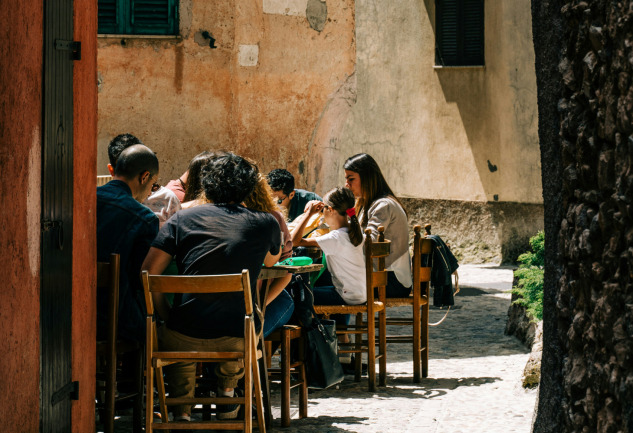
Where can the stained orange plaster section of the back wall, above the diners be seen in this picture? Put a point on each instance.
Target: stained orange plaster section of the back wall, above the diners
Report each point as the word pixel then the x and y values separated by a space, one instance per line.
pixel 261 92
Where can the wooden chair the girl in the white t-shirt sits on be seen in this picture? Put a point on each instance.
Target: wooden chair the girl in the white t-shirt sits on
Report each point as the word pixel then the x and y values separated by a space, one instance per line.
pixel 375 279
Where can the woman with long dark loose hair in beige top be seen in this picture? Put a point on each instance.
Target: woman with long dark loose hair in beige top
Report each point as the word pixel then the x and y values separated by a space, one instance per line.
pixel 377 205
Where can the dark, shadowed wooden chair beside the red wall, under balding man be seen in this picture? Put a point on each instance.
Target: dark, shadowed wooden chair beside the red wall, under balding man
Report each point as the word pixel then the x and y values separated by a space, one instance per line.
pixel 108 349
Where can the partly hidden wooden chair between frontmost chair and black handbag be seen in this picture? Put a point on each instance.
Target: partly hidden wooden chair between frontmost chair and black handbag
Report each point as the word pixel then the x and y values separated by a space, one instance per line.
pixel 286 336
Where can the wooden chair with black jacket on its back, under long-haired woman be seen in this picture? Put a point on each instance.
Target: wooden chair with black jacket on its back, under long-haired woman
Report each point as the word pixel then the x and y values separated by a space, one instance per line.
pixel 419 302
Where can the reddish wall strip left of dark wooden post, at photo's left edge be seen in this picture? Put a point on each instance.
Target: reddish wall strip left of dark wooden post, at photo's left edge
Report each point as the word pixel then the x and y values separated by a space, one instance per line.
pixel 20 142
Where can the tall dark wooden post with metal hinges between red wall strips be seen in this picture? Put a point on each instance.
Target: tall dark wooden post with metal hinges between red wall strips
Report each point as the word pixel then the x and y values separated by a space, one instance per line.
pixel 57 388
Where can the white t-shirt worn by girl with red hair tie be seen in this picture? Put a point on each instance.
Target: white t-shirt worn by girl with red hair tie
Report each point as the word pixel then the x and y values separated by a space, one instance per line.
pixel 346 264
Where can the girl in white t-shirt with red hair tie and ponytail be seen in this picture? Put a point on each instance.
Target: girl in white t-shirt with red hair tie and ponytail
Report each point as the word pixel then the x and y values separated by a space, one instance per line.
pixel 342 247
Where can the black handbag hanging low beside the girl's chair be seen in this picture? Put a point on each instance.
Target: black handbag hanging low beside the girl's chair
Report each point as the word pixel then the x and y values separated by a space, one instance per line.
pixel 323 368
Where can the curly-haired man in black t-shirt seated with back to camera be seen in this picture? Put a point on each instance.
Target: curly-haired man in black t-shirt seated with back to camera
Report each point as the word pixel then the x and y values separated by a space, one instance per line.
pixel 220 237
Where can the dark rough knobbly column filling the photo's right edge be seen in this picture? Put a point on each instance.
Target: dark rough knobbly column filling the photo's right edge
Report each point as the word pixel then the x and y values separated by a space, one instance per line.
pixel 593 388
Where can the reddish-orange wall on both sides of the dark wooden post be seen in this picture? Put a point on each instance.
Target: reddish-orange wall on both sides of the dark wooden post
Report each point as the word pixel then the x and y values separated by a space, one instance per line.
pixel 21 60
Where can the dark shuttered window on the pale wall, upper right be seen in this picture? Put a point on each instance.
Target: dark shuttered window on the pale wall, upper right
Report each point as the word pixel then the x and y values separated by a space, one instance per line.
pixel 459 32
